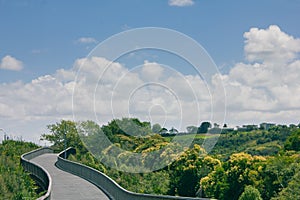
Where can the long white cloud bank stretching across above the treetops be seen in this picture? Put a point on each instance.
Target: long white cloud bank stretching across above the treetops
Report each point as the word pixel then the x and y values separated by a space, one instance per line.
pixel 264 87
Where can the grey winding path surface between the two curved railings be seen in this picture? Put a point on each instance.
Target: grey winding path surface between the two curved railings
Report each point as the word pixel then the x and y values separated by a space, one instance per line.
pixel 65 185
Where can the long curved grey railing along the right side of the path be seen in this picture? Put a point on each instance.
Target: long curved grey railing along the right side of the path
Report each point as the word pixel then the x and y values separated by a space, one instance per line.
pixel 108 185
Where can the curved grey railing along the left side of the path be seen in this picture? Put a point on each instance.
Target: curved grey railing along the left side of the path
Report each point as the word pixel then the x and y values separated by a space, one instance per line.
pixel 37 170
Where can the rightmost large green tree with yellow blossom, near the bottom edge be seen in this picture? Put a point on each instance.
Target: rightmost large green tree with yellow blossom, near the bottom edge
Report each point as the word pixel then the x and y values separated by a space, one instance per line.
pixel 228 181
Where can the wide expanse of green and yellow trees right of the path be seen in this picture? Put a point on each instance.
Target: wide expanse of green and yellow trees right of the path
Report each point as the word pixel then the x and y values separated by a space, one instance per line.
pixel 243 165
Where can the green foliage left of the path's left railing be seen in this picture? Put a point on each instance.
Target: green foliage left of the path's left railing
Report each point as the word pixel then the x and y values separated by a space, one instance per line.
pixel 14 182
